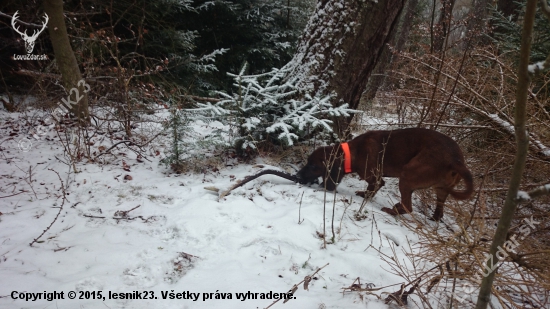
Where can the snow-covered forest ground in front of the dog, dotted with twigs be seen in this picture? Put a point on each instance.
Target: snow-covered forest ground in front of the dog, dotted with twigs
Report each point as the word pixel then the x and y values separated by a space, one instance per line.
pixel 180 238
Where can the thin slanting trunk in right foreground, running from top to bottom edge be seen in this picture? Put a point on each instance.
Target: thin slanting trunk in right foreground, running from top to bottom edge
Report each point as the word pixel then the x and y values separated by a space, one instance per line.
pixel 522 140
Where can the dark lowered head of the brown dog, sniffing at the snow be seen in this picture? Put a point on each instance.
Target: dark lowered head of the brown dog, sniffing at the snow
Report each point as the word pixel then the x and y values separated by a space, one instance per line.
pixel 324 162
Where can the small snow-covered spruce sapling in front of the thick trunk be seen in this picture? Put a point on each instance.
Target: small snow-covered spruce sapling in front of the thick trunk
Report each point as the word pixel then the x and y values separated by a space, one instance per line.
pixel 263 108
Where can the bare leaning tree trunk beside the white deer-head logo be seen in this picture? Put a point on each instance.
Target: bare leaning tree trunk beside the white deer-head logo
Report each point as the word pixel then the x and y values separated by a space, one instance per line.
pixel 66 61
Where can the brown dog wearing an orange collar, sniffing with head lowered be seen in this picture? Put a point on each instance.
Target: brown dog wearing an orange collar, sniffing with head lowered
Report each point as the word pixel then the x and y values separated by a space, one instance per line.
pixel 420 158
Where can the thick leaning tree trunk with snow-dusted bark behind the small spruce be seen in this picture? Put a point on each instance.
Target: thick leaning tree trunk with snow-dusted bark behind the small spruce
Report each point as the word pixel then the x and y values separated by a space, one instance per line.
pixel 340 49
